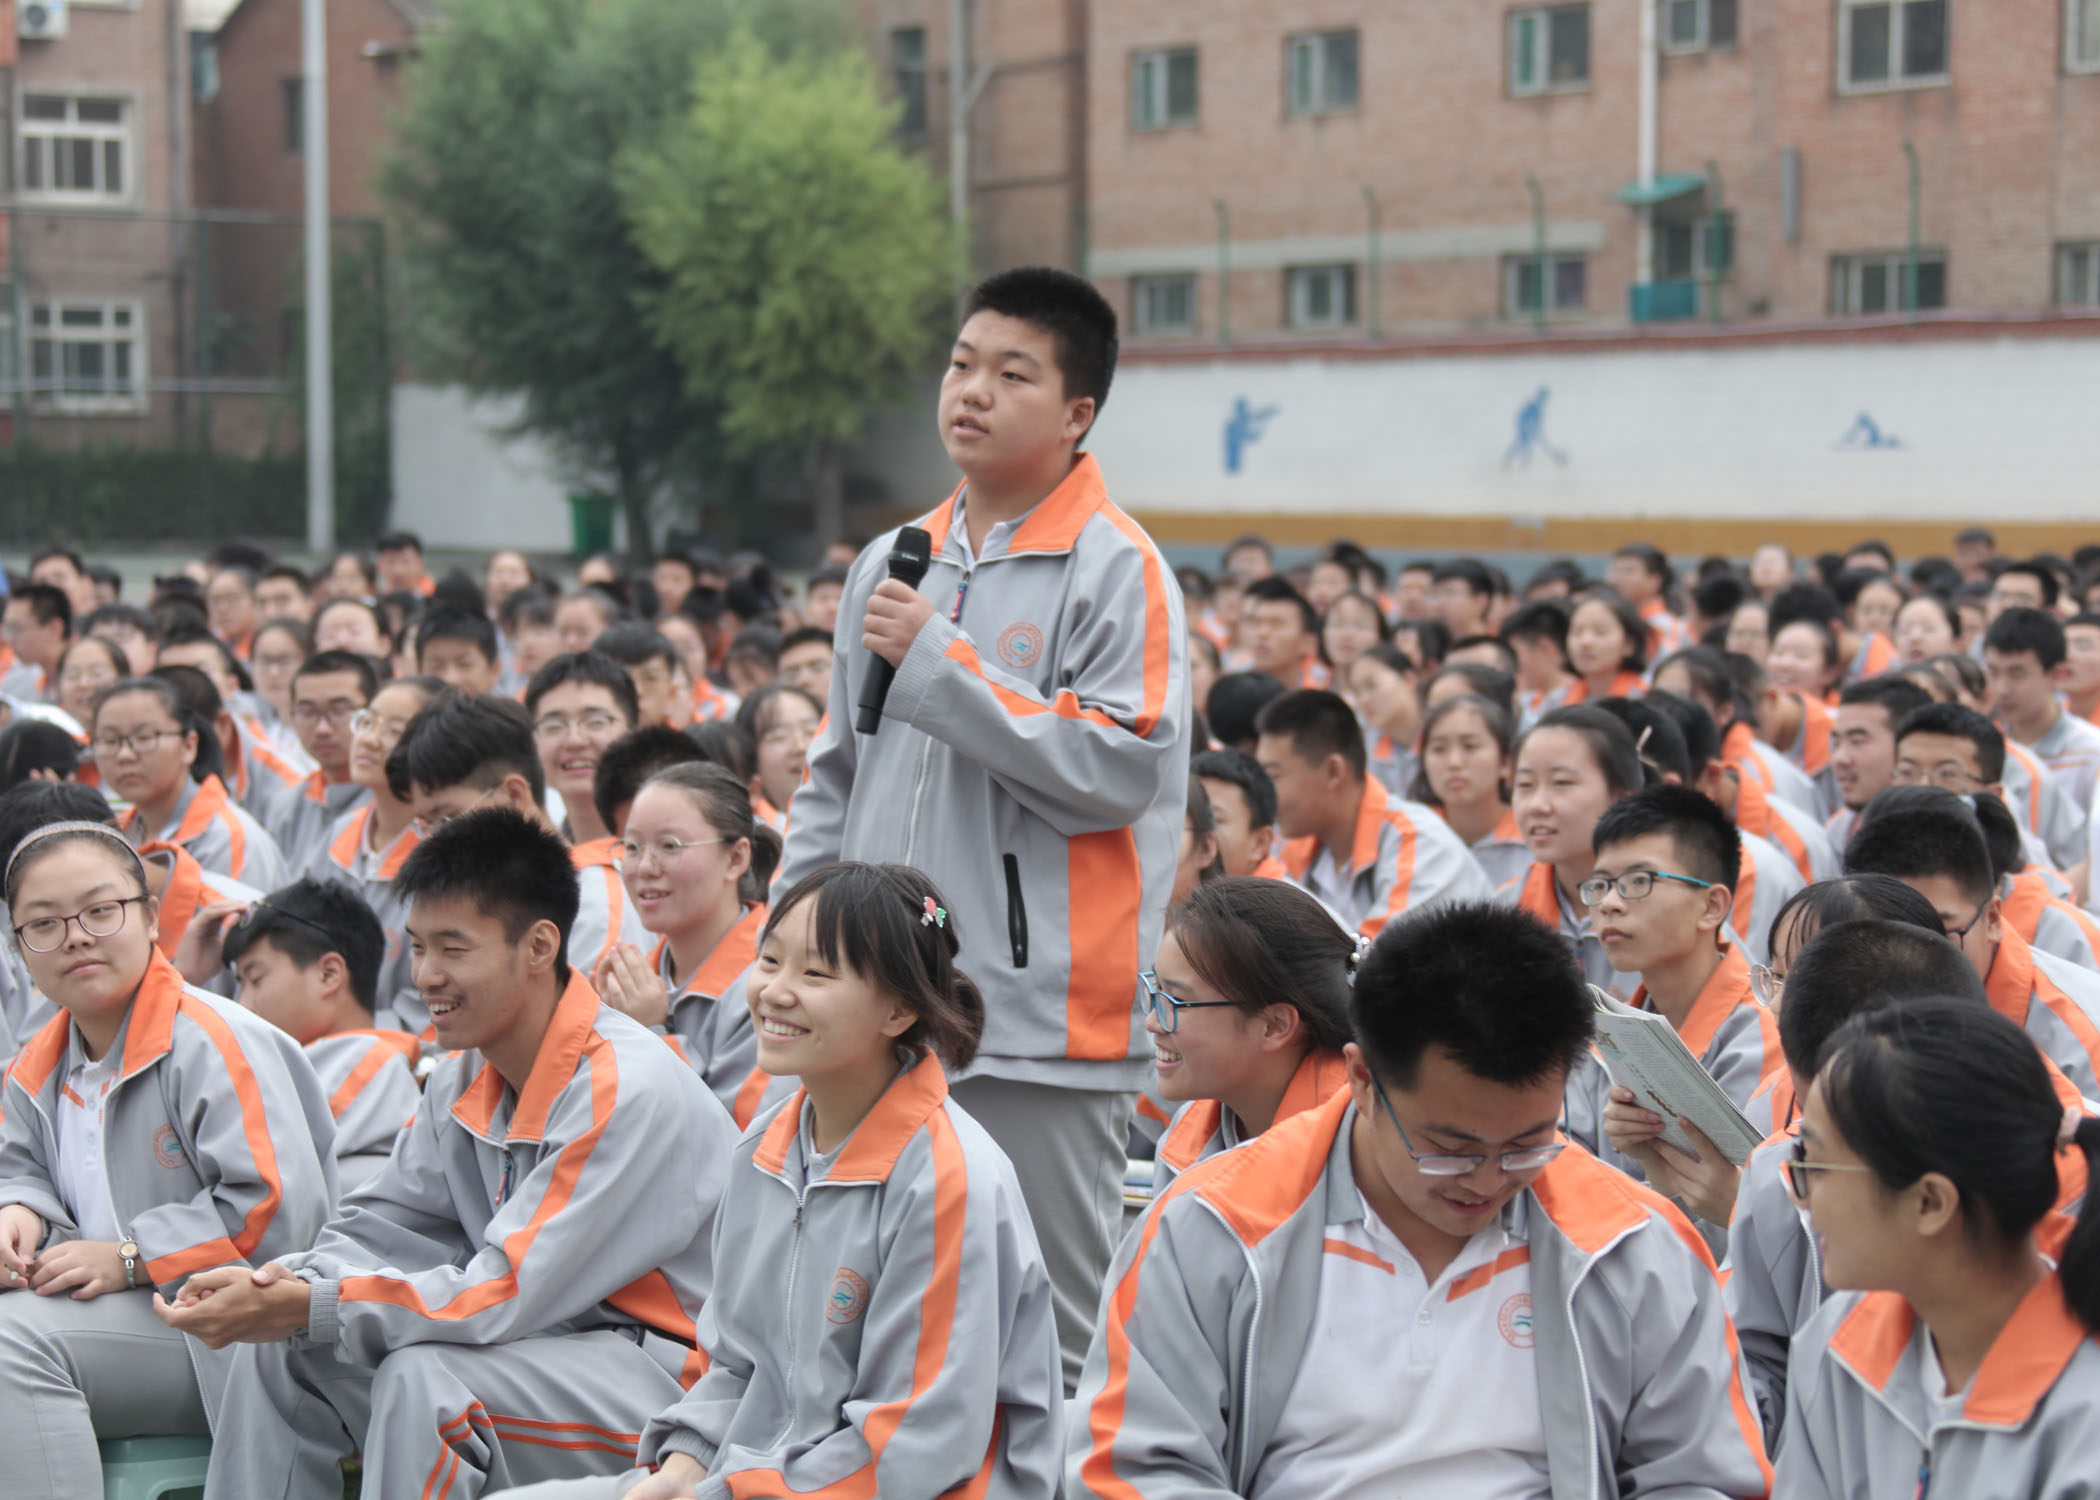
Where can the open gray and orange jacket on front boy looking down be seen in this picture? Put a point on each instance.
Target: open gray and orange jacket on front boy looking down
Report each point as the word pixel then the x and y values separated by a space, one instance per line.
pixel 1211 1306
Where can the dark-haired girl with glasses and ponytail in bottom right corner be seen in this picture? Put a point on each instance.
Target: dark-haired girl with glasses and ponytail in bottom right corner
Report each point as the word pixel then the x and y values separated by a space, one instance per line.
pixel 1956 1356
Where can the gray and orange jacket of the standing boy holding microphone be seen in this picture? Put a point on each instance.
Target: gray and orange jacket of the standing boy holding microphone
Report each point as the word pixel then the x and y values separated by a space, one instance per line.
pixel 1034 764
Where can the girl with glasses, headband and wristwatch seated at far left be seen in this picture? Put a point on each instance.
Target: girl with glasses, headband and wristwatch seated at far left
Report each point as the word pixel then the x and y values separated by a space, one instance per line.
pixel 150 1131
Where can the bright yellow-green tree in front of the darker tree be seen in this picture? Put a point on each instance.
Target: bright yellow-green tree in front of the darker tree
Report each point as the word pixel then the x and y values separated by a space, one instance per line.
pixel 801 257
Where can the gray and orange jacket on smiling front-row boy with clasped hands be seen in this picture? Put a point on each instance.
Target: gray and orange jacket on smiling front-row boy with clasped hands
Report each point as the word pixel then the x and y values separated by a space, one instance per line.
pixel 539 1211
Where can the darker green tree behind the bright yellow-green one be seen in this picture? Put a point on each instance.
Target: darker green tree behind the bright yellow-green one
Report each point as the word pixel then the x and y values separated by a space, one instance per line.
pixel 524 274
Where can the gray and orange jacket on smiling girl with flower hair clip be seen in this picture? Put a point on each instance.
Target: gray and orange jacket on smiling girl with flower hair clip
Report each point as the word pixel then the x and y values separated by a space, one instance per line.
pixel 883 1329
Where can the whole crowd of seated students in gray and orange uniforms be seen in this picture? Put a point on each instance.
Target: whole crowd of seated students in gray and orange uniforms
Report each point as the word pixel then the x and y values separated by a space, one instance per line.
pixel 385 919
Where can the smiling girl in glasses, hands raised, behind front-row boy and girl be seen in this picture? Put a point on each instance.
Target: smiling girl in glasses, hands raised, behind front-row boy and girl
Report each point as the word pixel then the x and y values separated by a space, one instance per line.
pixel 696 864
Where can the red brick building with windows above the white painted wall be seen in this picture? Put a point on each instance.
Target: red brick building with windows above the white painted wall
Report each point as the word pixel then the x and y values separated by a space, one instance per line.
pixel 1393 167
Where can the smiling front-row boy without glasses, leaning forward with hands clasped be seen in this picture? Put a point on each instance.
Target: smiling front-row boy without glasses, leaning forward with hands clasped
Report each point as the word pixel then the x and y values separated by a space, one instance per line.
pixel 513 1295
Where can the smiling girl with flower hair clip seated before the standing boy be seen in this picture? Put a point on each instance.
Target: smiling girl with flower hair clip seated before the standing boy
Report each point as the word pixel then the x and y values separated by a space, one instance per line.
pixel 881 1314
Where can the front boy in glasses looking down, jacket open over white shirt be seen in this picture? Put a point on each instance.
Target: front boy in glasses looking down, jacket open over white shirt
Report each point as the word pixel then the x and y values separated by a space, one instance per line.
pixel 1332 1299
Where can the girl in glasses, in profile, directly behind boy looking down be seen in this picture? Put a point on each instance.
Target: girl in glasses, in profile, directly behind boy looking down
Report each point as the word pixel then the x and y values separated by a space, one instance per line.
pixel 1248 1014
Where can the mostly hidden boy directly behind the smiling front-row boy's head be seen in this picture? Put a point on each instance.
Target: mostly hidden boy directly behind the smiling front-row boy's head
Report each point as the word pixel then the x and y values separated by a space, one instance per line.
pixel 467 753
